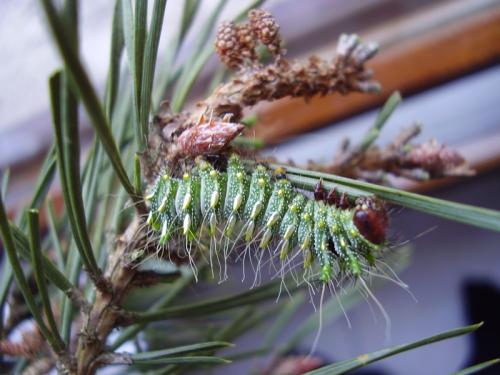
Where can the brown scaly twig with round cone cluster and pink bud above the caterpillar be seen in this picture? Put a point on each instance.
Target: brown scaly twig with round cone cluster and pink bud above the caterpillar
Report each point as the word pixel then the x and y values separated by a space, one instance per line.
pixel 186 134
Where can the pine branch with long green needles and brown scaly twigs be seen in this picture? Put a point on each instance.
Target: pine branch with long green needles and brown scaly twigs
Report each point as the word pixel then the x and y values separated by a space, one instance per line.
pixel 80 344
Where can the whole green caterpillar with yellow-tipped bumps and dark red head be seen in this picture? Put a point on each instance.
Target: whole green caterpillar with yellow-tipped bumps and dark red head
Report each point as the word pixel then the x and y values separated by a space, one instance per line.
pixel 262 208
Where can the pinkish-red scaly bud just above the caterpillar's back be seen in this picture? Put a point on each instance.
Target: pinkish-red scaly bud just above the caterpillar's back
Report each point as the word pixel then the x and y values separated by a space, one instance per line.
pixel 208 138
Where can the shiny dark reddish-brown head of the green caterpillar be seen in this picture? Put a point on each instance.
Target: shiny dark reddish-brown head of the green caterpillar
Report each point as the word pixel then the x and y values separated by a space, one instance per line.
pixel 372 222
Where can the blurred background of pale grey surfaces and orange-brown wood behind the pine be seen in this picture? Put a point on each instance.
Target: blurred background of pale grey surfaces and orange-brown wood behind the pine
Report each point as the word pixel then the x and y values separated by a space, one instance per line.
pixel 443 56
